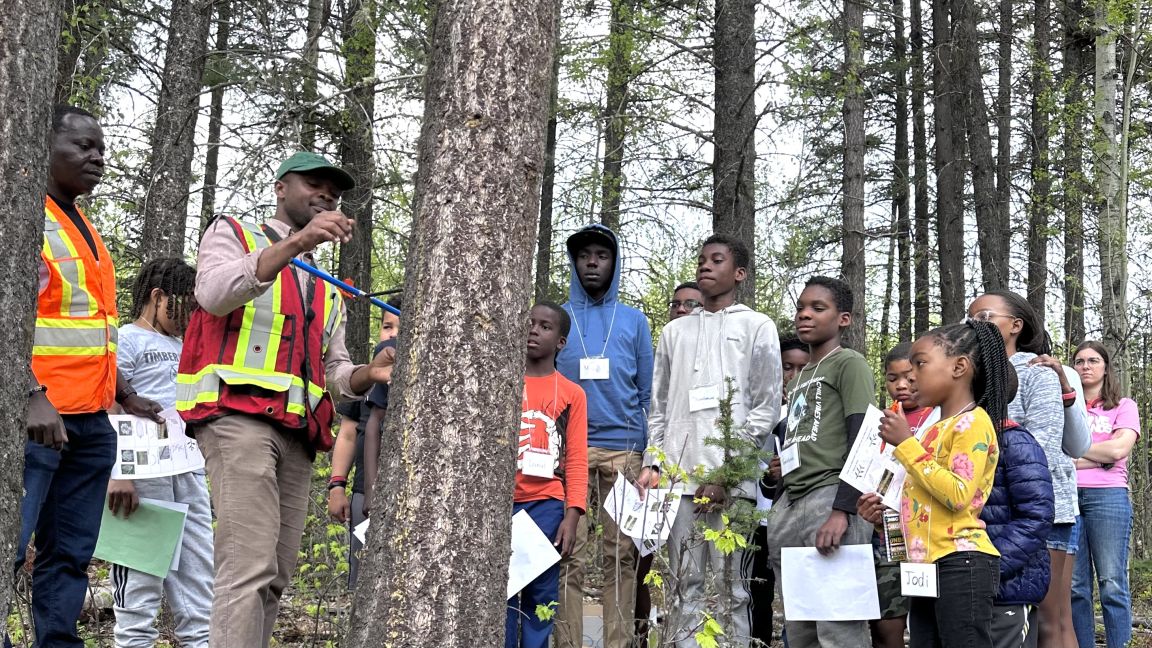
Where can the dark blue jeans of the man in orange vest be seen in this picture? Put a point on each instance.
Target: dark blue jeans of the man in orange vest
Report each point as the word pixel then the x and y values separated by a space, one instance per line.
pixel 64 502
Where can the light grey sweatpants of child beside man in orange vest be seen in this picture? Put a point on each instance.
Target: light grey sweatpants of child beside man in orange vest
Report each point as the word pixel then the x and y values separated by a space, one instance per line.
pixel 188 590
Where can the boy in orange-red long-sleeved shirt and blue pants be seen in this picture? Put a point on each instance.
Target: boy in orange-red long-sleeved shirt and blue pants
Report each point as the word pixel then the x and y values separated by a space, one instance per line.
pixel 551 469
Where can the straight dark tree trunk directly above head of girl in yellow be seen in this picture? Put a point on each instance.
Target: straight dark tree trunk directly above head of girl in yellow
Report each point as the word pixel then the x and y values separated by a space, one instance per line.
pixel 949 170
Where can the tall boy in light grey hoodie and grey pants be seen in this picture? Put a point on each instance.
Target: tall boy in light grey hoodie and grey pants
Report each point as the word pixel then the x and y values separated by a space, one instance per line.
pixel 696 359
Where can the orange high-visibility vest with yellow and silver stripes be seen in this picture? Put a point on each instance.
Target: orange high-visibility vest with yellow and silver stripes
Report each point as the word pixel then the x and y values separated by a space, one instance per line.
pixel 74 352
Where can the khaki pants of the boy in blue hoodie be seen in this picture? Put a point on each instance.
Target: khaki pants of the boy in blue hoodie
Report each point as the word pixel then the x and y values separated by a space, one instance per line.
pixel 619 561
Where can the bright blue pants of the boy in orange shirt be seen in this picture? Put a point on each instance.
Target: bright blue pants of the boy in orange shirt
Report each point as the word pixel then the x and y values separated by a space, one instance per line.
pixel 522 628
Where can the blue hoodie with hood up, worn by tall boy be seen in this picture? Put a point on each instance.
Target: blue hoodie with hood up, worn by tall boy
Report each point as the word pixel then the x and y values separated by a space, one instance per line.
pixel 618 408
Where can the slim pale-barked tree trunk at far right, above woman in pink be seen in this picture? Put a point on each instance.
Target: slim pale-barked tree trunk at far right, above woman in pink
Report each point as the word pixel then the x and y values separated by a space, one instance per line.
pixel 1113 224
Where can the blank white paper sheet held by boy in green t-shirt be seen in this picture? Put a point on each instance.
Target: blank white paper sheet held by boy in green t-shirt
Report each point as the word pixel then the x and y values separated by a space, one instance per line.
pixel 806 577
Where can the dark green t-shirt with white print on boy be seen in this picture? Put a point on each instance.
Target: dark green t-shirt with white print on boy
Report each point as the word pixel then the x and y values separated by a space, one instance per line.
pixel 820 398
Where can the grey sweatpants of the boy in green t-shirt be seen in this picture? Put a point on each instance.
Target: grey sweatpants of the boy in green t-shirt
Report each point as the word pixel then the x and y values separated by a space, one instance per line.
pixel 794 524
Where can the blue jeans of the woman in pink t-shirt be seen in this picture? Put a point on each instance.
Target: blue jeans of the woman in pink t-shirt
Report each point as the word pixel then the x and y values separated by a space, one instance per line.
pixel 1105 525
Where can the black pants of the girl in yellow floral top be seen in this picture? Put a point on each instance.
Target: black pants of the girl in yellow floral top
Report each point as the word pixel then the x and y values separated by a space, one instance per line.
pixel 962 616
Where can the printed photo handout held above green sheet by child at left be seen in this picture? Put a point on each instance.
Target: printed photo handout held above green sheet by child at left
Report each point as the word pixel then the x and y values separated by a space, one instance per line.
pixel 147 449
